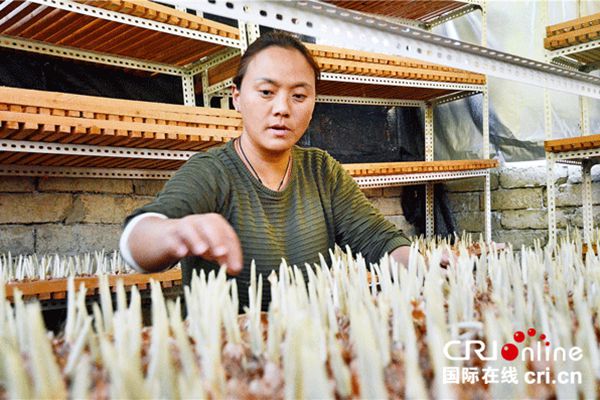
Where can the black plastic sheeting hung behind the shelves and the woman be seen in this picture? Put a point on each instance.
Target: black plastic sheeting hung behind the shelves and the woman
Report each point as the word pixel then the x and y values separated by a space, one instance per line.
pixel 350 133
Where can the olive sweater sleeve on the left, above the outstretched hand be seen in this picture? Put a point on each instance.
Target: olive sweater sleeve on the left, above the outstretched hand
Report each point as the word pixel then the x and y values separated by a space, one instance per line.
pixel 199 186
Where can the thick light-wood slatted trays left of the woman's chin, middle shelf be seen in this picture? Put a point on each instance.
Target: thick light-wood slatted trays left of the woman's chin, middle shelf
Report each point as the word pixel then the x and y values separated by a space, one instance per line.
pixel 65 118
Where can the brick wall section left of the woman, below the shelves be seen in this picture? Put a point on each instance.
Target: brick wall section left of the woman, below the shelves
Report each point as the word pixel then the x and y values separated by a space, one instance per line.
pixel 67 216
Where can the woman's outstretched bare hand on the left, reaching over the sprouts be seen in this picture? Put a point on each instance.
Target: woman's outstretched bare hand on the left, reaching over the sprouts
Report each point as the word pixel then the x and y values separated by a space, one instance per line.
pixel 156 243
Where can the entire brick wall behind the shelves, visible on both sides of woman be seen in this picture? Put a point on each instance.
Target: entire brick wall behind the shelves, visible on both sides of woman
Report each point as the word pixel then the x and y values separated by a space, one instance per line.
pixel 68 216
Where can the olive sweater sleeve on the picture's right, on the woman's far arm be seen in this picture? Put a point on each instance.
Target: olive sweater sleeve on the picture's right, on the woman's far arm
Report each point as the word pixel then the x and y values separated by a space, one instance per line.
pixel 357 222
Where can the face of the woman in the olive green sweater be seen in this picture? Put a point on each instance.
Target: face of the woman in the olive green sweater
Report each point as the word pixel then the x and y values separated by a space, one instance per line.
pixel 276 98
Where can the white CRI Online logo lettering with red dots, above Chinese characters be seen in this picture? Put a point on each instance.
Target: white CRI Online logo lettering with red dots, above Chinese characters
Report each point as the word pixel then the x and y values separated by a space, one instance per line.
pixel 510 351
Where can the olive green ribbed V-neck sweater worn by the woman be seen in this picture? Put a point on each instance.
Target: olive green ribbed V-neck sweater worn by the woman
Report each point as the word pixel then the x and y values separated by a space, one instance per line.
pixel 321 206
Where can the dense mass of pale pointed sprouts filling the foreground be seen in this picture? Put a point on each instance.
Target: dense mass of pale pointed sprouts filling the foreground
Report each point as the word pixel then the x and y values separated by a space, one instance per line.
pixel 339 329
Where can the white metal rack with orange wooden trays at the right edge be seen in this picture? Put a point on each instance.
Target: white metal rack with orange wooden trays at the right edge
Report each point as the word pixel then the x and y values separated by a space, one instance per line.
pixel 569 45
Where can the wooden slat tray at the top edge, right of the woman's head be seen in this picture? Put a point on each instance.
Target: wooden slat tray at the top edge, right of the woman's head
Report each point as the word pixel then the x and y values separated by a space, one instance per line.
pixel 408 9
